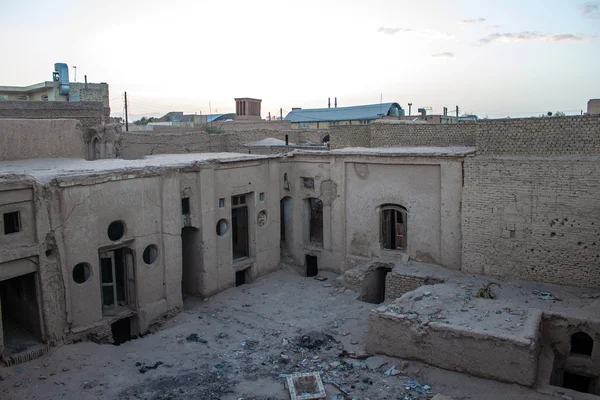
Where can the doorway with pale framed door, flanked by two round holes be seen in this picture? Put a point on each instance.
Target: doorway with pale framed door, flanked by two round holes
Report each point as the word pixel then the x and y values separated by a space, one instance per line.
pixel 117 276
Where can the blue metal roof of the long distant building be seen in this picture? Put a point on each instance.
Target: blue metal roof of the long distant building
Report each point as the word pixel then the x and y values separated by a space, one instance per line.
pixel 369 112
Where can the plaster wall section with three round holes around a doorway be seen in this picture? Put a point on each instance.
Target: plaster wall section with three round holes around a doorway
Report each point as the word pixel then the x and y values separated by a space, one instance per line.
pixel 150 209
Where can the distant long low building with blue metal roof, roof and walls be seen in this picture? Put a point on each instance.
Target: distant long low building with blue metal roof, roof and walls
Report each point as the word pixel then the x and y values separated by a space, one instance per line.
pixel 323 118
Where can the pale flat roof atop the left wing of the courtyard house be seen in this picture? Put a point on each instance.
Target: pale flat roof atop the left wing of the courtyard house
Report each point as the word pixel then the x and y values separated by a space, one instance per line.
pixel 45 170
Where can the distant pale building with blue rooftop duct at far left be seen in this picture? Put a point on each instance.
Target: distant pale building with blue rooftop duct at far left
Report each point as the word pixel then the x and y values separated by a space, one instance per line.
pixel 59 89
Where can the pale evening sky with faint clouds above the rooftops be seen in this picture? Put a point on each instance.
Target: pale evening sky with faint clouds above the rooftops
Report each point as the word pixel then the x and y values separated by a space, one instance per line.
pixel 491 58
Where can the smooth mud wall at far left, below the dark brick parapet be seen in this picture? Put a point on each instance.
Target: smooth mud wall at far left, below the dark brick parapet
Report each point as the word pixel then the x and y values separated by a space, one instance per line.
pixel 22 139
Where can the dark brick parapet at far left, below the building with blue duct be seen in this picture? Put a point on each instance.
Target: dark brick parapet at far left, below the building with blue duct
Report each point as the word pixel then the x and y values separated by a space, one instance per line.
pixel 88 113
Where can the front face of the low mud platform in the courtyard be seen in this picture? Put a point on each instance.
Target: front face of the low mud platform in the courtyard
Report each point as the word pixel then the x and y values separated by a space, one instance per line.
pixel 496 356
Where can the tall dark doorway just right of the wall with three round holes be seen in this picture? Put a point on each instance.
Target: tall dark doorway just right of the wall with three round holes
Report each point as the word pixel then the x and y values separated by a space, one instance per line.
pixel 191 260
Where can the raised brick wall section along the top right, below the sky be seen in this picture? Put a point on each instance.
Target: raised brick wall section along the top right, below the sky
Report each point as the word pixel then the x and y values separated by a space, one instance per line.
pixel 564 136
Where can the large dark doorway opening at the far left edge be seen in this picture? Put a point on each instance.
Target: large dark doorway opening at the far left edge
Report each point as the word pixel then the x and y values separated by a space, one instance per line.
pixel 20 322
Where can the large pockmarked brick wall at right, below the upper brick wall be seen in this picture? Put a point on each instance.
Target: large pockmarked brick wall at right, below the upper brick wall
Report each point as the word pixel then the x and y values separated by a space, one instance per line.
pixel 533 218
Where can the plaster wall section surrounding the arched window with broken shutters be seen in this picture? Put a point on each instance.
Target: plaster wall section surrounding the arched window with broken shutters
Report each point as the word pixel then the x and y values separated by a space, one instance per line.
pixel 429 191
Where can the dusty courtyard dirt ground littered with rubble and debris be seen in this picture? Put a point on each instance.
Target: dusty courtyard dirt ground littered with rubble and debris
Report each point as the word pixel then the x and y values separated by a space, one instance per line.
pixel 240 344
